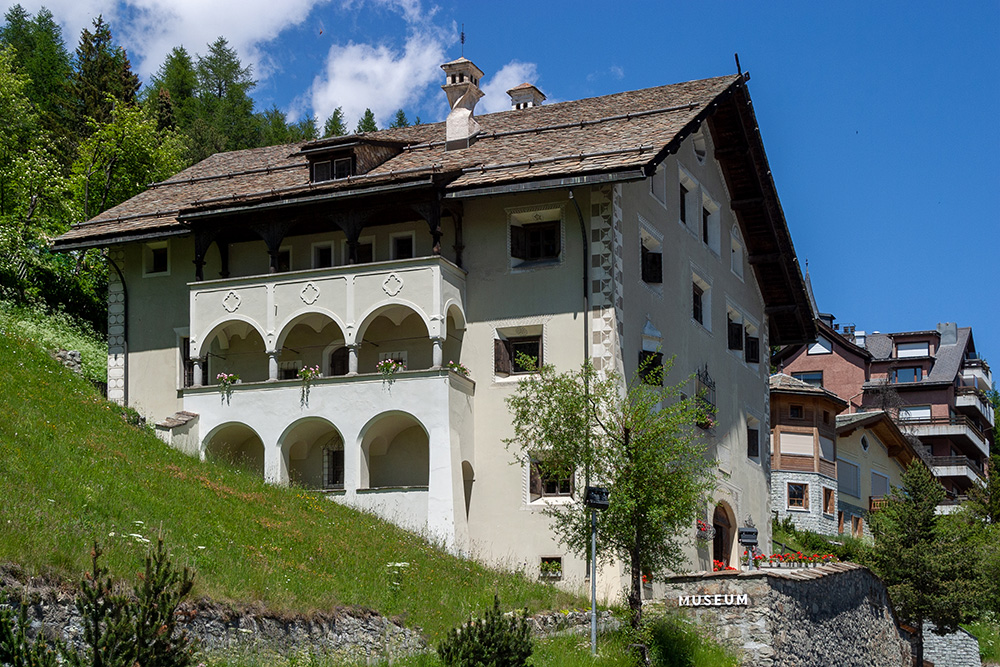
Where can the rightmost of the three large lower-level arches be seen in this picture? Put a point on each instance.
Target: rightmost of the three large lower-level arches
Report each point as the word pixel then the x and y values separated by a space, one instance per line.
pixel 395 451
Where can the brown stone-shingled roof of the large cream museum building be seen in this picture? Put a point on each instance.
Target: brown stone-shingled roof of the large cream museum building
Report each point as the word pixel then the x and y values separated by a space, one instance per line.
pixel 624 131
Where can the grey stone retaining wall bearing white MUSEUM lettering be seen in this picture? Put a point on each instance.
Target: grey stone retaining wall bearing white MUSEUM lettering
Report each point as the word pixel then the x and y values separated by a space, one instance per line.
pixel 836 614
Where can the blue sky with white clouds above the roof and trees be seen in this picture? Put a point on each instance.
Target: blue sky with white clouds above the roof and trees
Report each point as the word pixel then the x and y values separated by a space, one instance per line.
pixel 880 120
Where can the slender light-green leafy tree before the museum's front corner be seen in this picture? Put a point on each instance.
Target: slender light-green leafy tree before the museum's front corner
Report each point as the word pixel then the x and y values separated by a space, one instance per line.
pixel 640 441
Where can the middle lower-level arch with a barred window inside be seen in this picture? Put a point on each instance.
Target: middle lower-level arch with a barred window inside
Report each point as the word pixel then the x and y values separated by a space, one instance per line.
pixel 312 454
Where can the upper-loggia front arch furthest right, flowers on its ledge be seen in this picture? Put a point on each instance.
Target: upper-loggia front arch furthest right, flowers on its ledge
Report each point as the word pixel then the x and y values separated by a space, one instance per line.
pixel 398 331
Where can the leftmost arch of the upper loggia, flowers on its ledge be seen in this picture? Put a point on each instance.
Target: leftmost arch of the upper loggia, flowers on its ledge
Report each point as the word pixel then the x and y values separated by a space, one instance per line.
pixel 234 345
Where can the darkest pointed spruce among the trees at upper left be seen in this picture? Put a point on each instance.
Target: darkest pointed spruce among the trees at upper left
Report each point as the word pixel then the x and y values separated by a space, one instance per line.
pixel 103 76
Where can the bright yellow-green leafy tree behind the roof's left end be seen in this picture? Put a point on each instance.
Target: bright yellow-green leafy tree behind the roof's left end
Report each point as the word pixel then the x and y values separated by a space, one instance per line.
pixel 122 156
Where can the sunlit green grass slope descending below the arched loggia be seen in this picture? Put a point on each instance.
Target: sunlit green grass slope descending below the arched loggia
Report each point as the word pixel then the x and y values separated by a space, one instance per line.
pixel 73 471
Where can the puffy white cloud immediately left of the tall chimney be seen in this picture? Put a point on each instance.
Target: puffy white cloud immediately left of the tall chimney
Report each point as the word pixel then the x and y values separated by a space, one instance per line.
pixel 359 76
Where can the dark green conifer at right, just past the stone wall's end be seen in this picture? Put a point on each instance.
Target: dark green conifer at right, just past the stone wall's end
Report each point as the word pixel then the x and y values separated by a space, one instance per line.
pixel 924 559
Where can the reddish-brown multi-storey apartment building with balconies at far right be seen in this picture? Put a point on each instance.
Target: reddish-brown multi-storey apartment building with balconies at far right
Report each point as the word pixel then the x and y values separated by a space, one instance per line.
pixel 933 382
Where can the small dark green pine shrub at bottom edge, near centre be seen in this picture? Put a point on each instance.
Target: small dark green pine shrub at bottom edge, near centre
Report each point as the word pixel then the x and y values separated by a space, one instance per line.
pixel 496 640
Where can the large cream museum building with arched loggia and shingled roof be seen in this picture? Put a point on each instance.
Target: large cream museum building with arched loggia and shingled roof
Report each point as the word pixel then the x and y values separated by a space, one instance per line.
pixel 612 228
